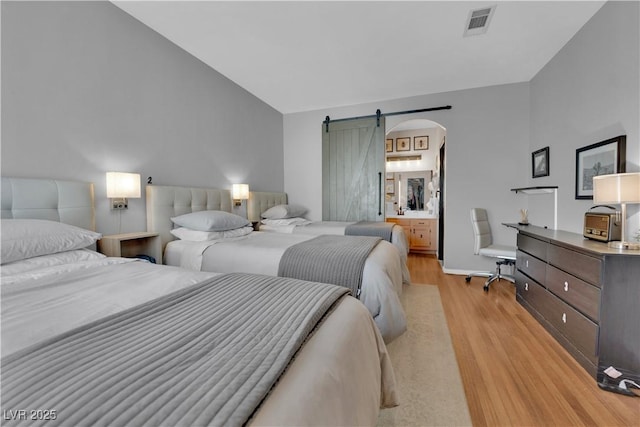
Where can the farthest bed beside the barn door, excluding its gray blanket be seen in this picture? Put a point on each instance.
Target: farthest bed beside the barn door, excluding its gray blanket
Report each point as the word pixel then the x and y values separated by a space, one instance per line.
pixel 285 218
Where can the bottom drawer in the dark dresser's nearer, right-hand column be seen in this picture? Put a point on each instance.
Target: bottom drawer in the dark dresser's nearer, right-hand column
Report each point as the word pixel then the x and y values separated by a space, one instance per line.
pixel 578 329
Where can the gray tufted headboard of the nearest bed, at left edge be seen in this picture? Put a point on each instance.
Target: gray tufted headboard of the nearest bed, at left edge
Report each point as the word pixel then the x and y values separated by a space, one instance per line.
pixel 70 202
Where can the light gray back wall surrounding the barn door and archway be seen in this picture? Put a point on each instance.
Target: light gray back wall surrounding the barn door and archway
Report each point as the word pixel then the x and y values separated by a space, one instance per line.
pixel 487 144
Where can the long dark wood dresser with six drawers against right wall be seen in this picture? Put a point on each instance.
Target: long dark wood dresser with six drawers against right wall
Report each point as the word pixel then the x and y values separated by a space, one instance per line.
pixel 586 295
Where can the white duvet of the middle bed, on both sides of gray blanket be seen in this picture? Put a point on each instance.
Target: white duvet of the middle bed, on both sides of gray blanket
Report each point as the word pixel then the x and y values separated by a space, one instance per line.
pixel 260 253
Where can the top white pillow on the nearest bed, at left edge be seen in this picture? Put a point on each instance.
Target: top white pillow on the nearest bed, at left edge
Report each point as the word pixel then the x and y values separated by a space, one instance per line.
pixel 28 238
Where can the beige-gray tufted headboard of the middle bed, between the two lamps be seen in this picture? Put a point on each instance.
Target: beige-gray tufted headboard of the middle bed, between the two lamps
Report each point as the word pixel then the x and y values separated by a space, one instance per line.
pixel 164 202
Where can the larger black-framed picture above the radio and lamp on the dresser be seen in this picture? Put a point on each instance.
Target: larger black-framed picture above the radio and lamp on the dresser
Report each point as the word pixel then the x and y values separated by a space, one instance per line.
pixel 601 158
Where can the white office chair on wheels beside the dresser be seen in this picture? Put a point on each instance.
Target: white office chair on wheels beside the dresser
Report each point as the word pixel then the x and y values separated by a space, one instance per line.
pixel 506 255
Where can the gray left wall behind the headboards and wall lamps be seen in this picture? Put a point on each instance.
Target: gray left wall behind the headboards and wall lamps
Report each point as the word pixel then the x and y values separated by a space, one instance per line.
pixel 88 89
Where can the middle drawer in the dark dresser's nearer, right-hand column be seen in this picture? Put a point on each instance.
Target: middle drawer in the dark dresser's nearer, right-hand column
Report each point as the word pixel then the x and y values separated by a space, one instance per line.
pixel 577 292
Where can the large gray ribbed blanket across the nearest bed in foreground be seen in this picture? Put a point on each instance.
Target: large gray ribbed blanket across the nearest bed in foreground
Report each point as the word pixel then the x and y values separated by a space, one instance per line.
pixel 206 355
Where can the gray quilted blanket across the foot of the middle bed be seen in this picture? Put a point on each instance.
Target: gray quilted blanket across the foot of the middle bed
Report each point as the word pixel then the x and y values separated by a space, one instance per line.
pixel 329 259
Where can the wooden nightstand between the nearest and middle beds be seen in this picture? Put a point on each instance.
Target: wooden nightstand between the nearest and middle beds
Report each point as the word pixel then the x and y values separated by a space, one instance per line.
pixel 132 244
